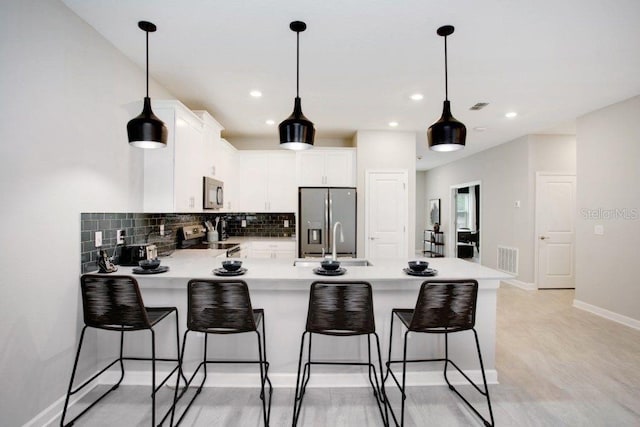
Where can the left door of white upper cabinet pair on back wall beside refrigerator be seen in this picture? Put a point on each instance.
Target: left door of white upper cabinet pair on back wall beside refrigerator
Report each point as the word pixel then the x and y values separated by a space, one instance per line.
pixel 252 189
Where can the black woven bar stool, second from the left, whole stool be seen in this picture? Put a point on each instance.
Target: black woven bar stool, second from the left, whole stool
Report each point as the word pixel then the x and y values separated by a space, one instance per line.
pixel 224 307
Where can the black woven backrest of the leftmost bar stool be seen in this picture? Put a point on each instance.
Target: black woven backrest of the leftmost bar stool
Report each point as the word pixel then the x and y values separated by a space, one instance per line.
pixel 113 303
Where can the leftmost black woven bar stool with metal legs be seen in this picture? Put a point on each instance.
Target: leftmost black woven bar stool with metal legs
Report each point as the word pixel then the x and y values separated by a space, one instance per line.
pixel 114 303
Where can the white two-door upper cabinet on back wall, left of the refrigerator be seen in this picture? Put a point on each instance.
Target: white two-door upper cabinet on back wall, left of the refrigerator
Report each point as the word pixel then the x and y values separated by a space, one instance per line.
pixel 266 181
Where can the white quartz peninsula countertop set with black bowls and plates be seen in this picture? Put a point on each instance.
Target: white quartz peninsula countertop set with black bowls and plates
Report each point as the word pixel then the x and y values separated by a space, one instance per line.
pixel 186 264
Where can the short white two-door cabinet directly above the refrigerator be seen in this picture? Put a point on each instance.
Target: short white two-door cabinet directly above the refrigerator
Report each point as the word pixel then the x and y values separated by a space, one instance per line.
pixel 326 167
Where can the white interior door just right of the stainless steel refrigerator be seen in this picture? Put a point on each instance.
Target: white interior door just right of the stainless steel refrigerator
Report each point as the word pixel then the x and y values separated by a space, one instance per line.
pixel 386 216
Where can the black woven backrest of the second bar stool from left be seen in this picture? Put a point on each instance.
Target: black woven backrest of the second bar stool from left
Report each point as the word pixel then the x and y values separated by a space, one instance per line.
pixel 219 306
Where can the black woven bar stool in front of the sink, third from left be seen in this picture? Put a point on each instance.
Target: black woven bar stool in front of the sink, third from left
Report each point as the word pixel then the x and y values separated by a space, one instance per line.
pixel 340 309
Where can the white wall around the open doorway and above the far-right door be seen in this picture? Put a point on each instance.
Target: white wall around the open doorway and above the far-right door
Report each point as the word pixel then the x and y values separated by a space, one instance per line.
pixel 507 174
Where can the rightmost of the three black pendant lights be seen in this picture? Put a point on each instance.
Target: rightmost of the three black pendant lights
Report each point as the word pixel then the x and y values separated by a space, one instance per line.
pixel 447 134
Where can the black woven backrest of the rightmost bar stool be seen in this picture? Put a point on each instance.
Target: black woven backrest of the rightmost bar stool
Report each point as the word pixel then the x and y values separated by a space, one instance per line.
pixel 445 305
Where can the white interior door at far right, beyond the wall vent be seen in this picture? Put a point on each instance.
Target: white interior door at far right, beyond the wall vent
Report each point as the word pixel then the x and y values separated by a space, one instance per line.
pixel 555 230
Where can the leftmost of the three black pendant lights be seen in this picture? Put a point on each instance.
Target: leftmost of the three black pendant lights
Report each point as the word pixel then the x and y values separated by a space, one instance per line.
pixel 147 130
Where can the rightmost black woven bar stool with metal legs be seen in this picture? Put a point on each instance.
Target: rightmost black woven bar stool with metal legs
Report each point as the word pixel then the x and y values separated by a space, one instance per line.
pixel 443 307
